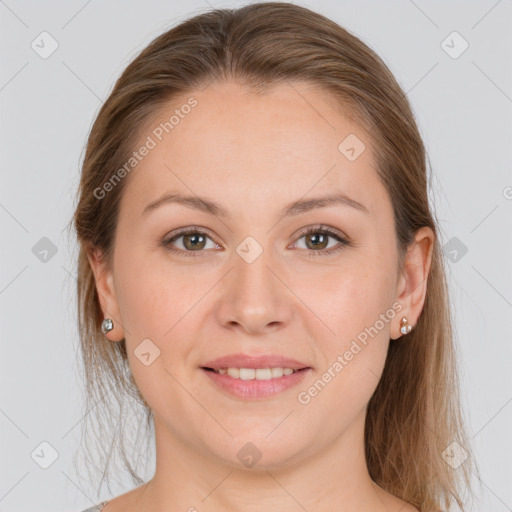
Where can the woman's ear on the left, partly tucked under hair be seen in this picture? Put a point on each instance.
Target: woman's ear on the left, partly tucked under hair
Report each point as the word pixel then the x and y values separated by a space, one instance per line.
pixel 104 280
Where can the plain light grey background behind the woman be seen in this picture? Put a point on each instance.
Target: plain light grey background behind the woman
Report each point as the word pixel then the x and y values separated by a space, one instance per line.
pixel 464 109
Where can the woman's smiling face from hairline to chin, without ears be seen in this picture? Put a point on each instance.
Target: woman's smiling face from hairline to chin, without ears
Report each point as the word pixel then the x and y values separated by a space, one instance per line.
pixel 246 279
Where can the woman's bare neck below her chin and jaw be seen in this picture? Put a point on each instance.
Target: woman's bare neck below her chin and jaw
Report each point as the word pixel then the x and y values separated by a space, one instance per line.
pixel 334 478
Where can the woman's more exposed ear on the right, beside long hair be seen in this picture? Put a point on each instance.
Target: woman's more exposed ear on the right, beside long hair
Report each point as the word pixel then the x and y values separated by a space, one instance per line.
pixel 412 282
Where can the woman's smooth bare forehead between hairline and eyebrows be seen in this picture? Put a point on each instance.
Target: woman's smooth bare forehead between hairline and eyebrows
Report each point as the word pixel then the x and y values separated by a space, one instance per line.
pixel 242 146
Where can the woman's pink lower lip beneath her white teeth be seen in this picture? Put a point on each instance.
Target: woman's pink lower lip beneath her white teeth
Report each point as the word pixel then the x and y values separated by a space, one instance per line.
pixel 255 388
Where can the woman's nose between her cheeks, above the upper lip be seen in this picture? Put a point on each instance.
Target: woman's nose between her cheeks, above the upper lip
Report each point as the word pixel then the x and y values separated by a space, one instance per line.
pixel 254 297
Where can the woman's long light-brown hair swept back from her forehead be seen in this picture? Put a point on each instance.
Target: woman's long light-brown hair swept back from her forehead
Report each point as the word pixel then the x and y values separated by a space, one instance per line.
pixel 415 412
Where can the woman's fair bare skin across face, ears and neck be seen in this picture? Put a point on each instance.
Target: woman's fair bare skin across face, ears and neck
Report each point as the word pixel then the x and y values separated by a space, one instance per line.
pixel 253 155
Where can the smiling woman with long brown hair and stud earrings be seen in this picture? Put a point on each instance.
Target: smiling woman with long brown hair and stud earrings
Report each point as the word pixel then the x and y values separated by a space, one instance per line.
pixel 259 266
